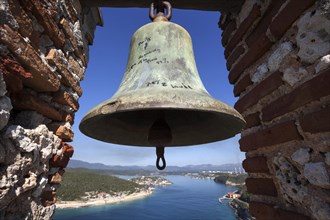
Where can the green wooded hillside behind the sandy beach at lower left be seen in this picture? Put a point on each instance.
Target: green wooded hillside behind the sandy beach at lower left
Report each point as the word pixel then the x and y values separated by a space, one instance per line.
pixel 78 181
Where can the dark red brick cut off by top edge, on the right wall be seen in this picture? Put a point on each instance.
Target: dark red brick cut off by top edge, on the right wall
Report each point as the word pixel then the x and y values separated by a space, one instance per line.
pixel 283 20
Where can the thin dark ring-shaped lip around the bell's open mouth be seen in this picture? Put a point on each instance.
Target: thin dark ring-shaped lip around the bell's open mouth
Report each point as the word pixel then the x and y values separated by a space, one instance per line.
pixel 239 121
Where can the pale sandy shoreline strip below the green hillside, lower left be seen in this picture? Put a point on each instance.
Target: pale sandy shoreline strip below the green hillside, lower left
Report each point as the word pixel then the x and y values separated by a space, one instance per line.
pixel 96 202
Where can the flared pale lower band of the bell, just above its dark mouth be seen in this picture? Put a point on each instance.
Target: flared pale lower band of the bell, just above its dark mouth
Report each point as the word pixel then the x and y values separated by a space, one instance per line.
pixel 161 99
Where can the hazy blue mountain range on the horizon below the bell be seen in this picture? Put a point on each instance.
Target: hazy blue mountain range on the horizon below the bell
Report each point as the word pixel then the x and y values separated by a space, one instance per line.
pixel 189 168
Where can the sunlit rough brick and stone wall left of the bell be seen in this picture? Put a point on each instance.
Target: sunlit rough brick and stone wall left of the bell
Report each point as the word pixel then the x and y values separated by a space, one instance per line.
pixel 43 56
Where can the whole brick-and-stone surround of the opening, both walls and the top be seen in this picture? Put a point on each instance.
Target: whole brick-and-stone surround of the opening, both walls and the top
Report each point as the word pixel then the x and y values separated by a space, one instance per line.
pixel 278 57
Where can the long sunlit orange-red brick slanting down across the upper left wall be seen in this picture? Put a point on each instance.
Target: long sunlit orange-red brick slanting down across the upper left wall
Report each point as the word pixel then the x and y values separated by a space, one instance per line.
pixel 43 79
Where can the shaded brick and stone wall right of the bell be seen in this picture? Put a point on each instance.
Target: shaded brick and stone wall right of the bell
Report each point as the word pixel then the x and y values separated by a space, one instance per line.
pixel 278 57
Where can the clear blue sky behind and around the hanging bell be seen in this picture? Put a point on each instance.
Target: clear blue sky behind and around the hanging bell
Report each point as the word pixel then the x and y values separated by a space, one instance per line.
pixel 108 58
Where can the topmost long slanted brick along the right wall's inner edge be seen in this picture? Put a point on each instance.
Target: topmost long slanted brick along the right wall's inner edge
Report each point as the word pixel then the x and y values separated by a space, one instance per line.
pixel 244 26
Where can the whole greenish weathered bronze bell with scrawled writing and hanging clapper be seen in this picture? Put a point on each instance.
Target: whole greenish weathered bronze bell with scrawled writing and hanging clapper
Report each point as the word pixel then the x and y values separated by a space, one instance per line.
pixel 161 100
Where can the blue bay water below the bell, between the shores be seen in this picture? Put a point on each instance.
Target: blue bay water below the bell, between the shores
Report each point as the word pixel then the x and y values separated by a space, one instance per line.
pixel 186 198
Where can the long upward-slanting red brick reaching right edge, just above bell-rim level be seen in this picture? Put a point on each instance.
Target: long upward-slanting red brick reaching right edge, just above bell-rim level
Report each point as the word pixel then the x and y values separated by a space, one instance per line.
pixel 309 91
